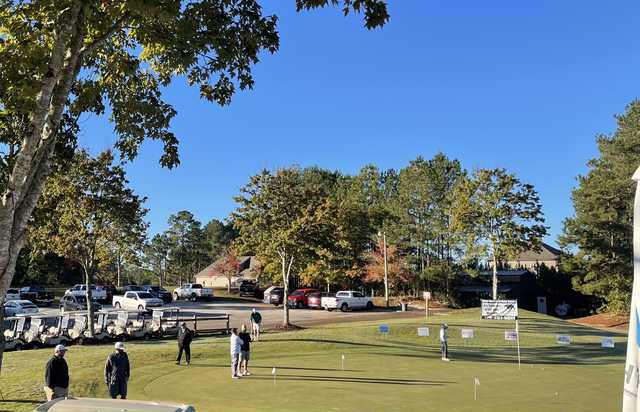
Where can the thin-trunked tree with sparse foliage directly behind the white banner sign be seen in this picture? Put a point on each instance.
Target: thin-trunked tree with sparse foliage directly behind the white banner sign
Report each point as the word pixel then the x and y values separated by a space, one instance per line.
pixel 499 216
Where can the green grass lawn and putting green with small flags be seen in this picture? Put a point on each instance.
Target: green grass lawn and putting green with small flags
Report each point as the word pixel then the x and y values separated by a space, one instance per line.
pixel 401 372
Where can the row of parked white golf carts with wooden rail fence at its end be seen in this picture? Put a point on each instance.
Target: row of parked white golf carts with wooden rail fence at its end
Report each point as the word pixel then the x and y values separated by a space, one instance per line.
pixel 35 331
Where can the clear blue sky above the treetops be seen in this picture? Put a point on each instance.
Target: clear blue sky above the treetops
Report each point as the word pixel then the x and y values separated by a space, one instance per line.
pixel 520 85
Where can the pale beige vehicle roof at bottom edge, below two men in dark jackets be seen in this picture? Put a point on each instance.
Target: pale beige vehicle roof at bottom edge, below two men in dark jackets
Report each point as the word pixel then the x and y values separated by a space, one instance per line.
pixel 95 404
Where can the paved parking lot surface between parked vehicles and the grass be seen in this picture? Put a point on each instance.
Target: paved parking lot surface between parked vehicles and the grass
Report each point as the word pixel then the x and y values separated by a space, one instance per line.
pixel 240 309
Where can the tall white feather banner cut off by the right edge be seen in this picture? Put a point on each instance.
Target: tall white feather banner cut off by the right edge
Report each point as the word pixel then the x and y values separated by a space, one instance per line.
pixel 630 395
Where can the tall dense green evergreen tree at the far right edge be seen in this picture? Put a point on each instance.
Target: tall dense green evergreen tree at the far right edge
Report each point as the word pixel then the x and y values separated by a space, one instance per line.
pixel 600 232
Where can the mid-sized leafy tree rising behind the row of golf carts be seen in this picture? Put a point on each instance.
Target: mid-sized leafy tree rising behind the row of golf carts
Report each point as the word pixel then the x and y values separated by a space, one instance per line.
pixel 85 212
